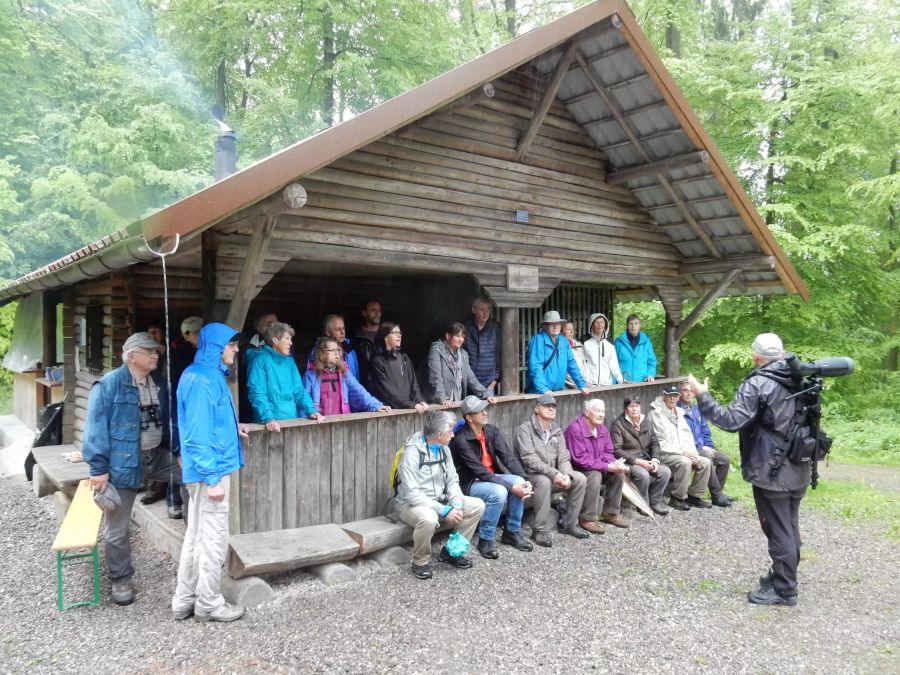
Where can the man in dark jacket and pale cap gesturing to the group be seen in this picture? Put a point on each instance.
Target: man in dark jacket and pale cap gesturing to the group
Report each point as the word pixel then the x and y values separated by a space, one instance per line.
pixel 762 415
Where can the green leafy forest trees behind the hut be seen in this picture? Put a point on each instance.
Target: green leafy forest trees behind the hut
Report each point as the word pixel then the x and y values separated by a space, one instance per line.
pixel 105 116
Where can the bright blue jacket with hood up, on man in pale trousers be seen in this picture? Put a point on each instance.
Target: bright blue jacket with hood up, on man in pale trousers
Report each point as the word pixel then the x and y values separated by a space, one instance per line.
pixel 210 444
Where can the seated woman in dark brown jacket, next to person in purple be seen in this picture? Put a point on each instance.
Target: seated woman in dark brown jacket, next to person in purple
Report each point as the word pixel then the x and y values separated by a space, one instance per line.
pixel 633 441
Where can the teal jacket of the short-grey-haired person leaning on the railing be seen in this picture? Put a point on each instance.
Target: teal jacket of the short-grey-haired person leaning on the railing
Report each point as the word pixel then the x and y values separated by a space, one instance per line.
pixel 275 389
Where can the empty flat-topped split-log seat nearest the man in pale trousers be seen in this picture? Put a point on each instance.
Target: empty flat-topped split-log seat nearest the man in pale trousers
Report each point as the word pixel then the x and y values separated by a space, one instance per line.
pixel 286 550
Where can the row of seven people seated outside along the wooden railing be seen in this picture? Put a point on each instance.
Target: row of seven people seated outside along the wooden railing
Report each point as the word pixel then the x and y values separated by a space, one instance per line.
pixel 467 474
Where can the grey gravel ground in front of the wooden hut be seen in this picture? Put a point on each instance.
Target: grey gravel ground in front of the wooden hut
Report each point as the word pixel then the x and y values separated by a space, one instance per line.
pixel 651 599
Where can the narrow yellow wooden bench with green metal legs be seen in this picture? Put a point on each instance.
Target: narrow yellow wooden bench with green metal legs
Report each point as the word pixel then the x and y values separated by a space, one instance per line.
pixel 80 530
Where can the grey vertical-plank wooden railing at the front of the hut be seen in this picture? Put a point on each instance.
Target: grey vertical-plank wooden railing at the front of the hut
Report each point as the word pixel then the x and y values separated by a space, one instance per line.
pixel 337 471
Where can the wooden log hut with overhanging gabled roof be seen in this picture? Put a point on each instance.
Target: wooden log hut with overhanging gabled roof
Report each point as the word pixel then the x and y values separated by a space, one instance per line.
pixel 562 170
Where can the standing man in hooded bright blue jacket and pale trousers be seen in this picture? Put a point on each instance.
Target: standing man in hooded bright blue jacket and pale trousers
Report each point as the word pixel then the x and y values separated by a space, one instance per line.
pixel 211 452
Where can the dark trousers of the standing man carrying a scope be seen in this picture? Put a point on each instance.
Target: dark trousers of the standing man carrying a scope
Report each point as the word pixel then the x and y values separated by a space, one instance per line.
pixel 778 517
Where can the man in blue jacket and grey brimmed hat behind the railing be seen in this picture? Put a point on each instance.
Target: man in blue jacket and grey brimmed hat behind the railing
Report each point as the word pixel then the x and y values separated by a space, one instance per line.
pixel 550 358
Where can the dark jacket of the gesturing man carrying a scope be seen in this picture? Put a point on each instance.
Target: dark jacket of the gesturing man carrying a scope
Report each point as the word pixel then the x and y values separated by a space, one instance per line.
pixel 760 413
